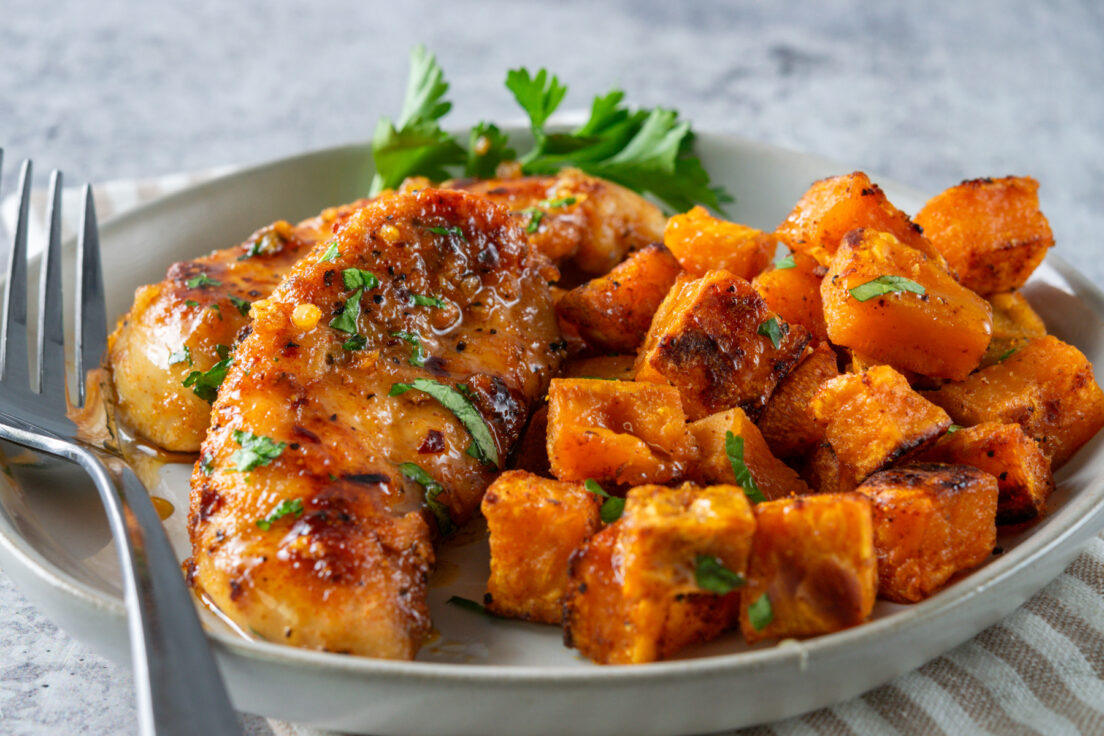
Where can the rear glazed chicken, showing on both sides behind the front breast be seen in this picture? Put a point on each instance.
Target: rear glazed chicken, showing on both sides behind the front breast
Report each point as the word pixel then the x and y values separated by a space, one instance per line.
pixel 184 325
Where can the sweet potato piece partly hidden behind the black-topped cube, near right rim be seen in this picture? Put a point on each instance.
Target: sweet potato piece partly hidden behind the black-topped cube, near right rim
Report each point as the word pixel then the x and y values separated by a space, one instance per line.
pixel 1005 452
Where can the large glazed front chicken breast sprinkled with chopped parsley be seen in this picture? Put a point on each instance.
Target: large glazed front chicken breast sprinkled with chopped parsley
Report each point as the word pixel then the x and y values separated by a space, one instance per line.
pixel 384 385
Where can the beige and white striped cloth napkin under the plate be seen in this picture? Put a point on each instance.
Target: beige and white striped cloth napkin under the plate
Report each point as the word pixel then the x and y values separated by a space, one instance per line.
pixel 1038 673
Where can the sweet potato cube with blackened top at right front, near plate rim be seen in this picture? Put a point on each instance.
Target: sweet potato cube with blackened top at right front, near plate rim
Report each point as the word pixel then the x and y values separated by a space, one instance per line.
pixel 931 521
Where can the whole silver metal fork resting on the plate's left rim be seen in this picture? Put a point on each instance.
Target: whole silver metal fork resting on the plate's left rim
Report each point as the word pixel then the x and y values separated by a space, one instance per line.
pixel 179 687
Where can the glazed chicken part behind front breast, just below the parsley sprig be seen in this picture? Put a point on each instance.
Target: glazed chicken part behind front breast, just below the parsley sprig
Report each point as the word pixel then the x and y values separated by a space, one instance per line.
pixel 575 217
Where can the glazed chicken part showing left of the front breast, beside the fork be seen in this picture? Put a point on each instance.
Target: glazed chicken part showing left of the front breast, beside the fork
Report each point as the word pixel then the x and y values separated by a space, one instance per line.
pixel 182 325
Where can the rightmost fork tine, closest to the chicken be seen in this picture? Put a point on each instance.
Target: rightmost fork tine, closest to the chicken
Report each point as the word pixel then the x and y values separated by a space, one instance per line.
pixel 91 310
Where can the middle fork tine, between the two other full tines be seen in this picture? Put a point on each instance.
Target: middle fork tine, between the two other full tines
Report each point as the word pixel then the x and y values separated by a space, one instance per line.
pixel 51 340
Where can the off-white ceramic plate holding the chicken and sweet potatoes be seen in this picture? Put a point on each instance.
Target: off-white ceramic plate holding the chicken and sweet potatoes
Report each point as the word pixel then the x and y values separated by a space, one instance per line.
pixel 501 677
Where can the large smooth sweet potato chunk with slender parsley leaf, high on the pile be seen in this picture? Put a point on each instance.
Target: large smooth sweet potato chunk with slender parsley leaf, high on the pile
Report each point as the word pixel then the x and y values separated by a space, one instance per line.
pixel 925 322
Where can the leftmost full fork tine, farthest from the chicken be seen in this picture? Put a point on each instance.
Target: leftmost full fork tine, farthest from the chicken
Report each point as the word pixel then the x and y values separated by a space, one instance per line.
pixel 15 375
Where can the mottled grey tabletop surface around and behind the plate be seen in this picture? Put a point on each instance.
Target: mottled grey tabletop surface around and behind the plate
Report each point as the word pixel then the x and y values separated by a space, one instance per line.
pixel 925 93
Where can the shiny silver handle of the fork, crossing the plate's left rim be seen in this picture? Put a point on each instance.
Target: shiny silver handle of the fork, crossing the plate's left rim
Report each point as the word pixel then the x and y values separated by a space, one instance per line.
pixel 181 691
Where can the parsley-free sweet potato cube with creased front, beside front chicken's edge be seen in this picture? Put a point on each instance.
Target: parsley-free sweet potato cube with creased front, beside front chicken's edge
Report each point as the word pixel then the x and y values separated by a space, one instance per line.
pixel 621 432
